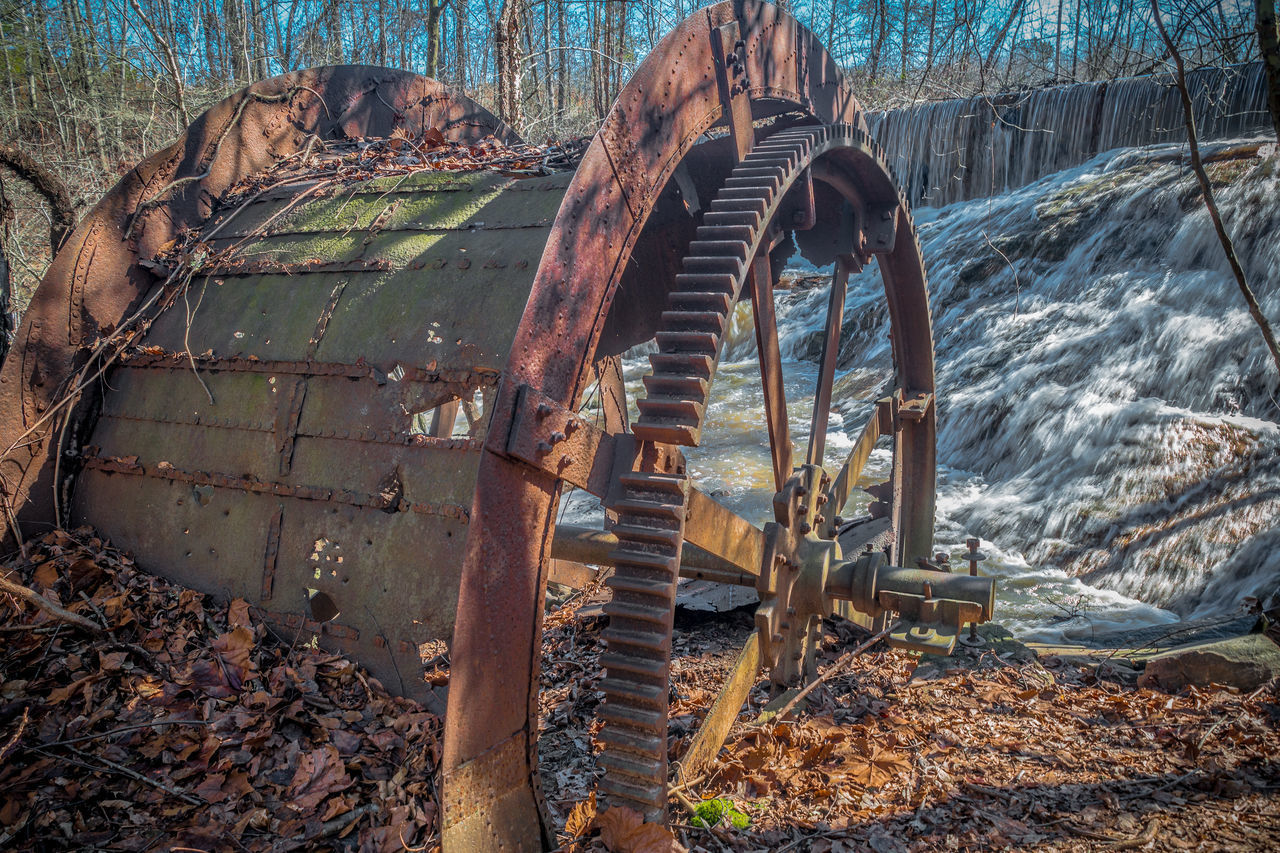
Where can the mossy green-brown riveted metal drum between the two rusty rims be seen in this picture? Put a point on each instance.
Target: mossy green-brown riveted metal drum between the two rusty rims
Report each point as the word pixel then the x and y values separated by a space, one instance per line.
pixel 276 436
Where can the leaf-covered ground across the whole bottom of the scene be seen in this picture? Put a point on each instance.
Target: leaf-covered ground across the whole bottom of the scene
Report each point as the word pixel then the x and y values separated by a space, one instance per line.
pixel 166 720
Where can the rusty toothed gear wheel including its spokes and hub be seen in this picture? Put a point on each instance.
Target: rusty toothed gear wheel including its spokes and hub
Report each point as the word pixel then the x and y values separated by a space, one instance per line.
pixel 659 509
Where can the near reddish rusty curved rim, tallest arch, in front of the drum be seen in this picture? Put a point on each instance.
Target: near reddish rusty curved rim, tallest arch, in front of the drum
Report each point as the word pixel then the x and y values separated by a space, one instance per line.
pixel 662 112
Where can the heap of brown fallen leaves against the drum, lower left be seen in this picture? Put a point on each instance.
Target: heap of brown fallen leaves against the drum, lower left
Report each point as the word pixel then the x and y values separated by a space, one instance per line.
pixel 235 742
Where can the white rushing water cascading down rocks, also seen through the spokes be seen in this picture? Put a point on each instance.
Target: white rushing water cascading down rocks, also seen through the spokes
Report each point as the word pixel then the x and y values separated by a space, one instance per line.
pixel 1108 409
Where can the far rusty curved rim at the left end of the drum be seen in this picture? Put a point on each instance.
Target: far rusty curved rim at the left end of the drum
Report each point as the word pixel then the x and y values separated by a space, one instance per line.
pixel 97 282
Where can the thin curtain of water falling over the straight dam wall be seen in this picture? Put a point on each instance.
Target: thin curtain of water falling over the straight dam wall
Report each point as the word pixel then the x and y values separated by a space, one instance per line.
pixel 954 150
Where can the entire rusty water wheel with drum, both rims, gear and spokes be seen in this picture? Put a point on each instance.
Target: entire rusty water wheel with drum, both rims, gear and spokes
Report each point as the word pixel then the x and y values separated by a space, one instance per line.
pixel 355 403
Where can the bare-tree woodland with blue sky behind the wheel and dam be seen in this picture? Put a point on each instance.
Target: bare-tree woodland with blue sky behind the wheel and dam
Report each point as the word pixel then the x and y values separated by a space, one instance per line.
pixel 89 88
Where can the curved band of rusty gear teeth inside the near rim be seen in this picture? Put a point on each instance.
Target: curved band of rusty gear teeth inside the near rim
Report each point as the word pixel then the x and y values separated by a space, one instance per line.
pixel 652 509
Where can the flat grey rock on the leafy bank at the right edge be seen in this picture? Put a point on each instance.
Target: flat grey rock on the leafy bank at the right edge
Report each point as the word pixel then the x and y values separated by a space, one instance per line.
pixel 1244 663
